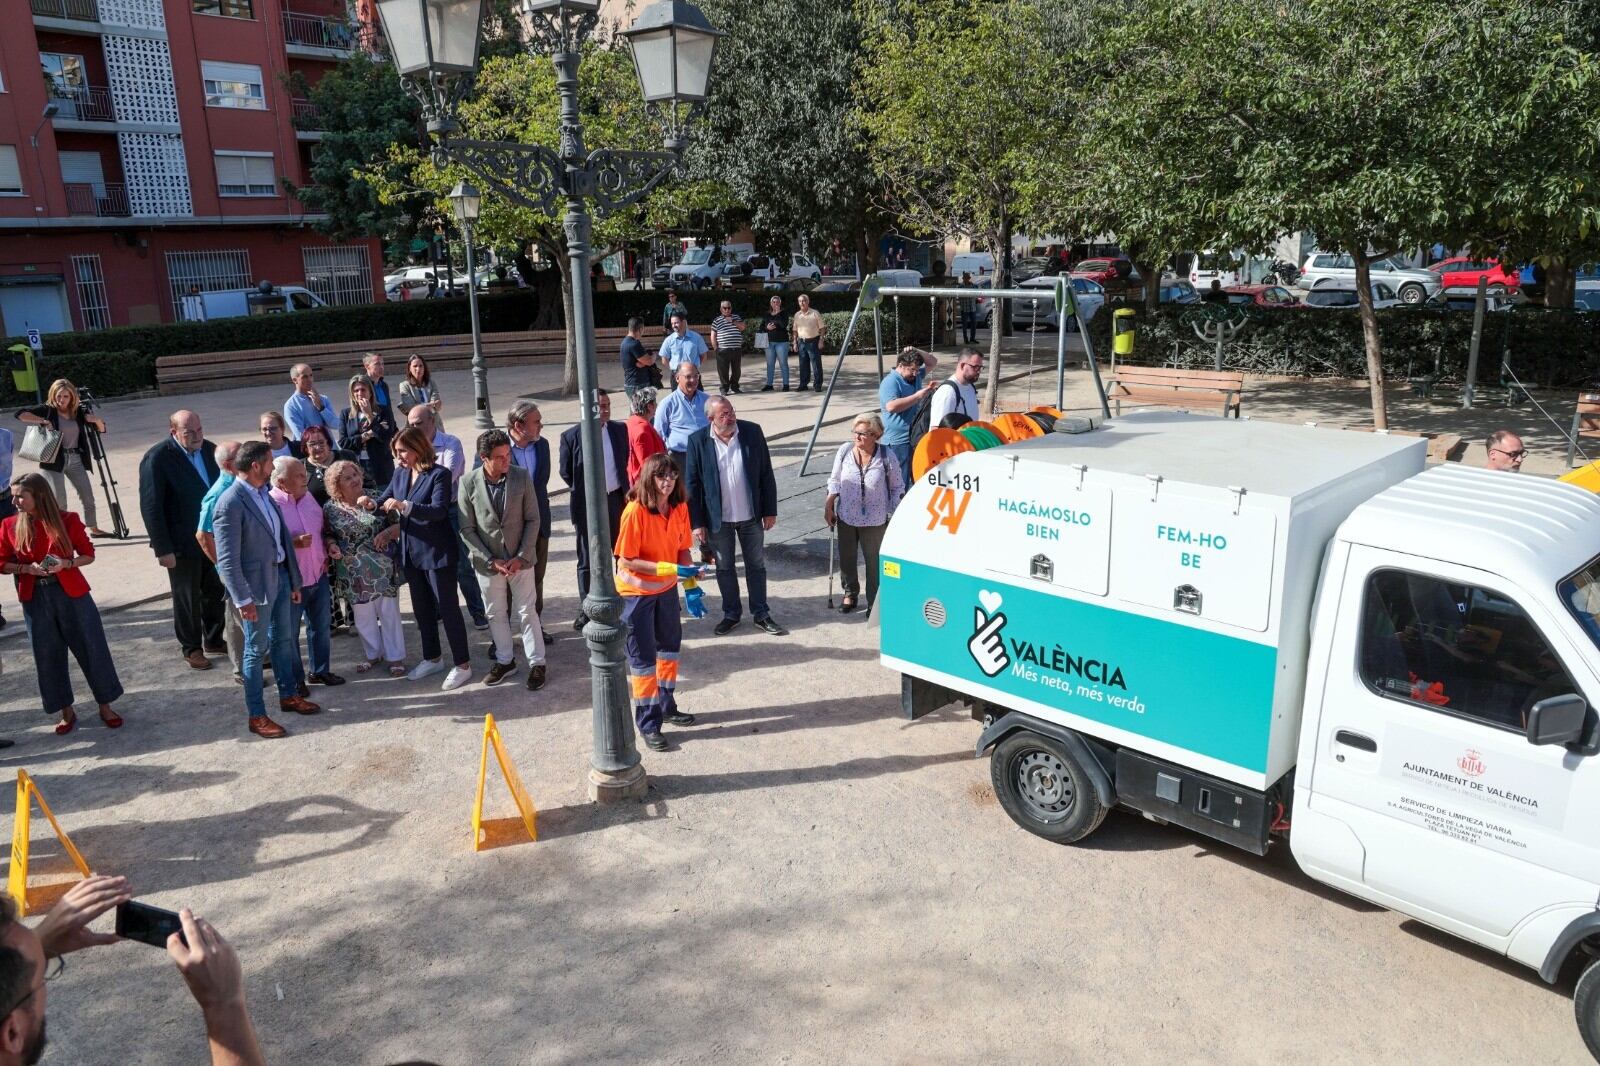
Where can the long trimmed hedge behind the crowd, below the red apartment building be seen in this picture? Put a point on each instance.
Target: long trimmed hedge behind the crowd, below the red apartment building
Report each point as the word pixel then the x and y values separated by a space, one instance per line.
pixel 122 359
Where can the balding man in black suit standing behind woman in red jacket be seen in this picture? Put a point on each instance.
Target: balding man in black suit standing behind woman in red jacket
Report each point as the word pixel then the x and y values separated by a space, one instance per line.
pixel 174 479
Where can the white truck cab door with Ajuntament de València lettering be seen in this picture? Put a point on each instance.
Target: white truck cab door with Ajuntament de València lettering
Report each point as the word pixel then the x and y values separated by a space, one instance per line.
pixel 1422 748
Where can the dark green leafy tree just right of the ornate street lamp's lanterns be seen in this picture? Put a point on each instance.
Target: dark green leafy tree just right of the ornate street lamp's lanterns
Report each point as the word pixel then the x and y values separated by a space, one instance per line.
pixel 778 122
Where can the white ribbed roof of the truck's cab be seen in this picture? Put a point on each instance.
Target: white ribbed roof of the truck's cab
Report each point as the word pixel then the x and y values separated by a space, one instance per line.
pixel 1535 532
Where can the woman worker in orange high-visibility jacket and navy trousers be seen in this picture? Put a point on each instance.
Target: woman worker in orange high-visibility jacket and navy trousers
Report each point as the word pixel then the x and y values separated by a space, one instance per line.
pixel 654 550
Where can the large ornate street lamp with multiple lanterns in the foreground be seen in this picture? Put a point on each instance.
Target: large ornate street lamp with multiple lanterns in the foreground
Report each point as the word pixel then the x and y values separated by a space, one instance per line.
pixel 436 50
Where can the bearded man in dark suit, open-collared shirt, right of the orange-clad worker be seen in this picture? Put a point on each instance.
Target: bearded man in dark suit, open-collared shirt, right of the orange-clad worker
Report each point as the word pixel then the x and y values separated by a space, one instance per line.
pixel 734 495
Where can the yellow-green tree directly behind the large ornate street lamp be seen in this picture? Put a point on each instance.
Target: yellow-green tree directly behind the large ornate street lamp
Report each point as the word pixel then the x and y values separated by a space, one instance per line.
pixel 516 100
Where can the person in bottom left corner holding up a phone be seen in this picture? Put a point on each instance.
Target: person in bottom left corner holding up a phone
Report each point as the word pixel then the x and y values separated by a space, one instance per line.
pixel 30 958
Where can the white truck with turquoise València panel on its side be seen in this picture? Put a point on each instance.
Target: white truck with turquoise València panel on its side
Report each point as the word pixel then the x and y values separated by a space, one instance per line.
pixel 1279 633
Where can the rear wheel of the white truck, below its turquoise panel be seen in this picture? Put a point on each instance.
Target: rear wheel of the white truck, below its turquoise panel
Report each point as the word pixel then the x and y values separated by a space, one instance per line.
pixel 1044 788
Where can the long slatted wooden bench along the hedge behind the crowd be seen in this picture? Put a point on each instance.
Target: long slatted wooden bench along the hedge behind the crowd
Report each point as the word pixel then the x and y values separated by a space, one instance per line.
pixel 334 364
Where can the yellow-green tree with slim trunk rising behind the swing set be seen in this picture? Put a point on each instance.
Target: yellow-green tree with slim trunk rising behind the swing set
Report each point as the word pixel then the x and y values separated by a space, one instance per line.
pixel 951 127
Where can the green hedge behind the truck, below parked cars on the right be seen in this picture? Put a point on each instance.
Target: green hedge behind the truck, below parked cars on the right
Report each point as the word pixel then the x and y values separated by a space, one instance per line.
pixel 1546 348
